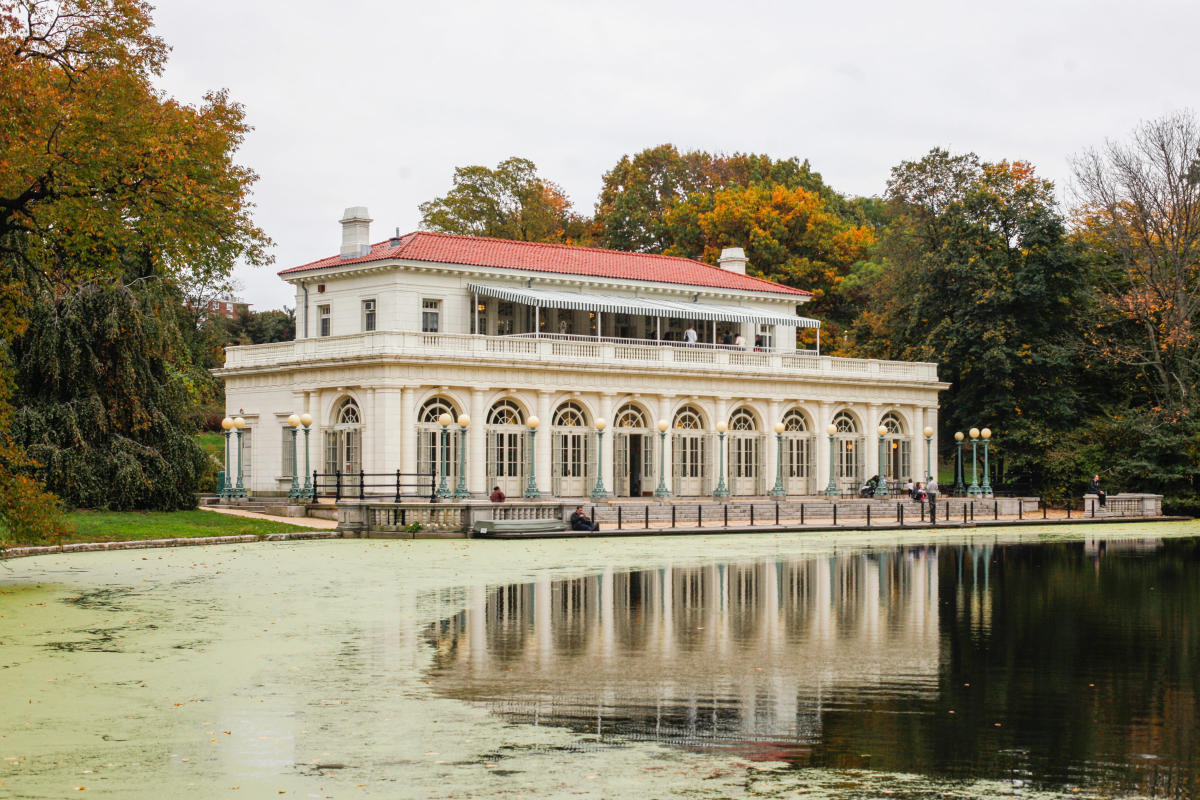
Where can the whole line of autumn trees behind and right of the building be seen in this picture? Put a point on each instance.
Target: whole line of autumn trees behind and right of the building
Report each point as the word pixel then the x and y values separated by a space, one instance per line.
pixel 1070 332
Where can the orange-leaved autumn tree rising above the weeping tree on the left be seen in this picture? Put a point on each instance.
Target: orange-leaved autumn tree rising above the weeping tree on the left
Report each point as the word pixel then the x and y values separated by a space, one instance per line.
pixel 99 169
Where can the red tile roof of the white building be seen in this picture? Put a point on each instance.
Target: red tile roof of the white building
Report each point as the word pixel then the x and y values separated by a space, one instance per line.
pixel 563 260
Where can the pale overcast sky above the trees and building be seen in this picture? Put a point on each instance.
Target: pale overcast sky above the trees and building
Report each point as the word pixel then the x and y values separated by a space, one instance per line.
pixel 375 104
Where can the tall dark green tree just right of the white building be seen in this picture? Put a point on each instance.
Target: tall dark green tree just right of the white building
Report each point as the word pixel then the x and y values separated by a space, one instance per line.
pixel 976 273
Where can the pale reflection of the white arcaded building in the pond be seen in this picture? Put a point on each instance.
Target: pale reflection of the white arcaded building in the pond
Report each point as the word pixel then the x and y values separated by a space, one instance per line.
pixel 748 655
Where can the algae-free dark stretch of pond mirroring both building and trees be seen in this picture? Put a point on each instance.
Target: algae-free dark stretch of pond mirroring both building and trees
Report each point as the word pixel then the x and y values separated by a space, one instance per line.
pixel 1087 654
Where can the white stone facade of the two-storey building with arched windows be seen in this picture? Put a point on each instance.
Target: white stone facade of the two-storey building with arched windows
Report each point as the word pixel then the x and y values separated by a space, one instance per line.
pixel 386 346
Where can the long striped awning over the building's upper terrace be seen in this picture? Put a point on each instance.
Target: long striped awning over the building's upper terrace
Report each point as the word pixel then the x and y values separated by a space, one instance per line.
pixel 644 306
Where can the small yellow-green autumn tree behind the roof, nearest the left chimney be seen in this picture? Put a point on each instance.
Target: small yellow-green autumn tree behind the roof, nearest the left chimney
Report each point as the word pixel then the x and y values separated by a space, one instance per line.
pixel 511 202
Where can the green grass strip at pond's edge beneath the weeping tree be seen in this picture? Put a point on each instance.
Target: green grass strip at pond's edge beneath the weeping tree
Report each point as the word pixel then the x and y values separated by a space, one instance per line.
pixel 129 526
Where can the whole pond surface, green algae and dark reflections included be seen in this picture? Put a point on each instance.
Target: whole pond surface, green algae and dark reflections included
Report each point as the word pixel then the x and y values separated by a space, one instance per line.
pixel 1045 663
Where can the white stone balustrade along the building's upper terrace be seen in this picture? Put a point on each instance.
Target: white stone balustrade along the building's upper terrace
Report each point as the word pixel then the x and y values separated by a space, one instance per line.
pixel 568 350
